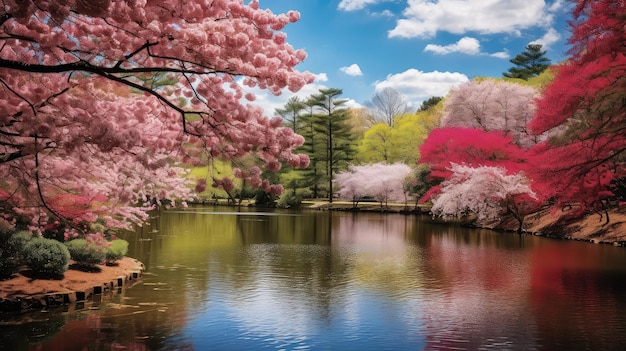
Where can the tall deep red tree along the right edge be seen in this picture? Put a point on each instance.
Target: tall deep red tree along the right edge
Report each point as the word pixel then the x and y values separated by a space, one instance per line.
pixel 587 101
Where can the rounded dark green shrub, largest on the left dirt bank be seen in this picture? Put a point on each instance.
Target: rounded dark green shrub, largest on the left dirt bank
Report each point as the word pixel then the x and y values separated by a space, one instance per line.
pixel 46 257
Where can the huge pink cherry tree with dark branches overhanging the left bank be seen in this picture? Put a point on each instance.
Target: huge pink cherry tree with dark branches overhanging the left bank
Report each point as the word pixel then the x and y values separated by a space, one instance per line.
pixel 87 131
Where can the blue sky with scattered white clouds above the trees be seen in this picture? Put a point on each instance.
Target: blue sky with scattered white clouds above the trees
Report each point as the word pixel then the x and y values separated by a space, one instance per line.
pixel 421 48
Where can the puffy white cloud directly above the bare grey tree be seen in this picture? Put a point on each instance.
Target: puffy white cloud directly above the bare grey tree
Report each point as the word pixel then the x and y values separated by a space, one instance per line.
pixel 418 86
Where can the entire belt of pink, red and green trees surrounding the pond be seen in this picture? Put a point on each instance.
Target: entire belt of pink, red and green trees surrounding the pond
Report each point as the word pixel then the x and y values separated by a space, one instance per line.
pixel 113 108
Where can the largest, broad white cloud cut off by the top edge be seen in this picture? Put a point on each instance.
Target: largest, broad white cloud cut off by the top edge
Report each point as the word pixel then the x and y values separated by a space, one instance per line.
pixel 424 18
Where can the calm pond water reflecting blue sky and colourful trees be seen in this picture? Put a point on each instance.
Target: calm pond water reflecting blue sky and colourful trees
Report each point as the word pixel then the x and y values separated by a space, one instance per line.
pixel 222 280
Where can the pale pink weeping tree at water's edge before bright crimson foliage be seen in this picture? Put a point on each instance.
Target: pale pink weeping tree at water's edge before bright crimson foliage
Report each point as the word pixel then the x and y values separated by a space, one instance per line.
pixel 487 192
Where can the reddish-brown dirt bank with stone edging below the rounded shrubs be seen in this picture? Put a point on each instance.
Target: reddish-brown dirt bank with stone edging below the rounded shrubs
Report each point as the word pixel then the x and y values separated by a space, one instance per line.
pixel 20 292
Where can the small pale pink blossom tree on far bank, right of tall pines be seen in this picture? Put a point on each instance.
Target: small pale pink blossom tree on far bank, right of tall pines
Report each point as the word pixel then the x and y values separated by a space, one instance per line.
pixel 385 182
